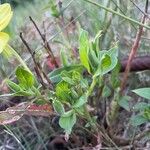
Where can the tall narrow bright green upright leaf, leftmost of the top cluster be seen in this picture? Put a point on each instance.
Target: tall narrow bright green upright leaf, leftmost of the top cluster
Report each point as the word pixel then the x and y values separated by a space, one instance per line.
pixel 84 49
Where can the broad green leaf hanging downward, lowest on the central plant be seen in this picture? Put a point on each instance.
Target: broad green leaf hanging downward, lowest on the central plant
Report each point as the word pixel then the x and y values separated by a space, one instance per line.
pixel 67 121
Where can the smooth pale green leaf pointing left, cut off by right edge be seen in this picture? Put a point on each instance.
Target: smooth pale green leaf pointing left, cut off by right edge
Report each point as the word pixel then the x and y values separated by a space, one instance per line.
pixel 143 92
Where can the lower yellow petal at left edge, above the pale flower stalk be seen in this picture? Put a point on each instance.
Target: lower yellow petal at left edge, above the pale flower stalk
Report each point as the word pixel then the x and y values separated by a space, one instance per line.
pixel 3 40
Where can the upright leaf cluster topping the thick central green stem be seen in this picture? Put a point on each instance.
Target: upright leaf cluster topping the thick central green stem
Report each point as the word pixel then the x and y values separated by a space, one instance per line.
pixel 96 62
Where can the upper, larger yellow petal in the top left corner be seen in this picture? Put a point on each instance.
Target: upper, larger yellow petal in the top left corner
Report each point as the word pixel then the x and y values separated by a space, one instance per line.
pixel 5 15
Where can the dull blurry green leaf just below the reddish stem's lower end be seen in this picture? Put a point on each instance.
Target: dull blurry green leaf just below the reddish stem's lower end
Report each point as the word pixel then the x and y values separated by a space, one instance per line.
pixel 124 102
